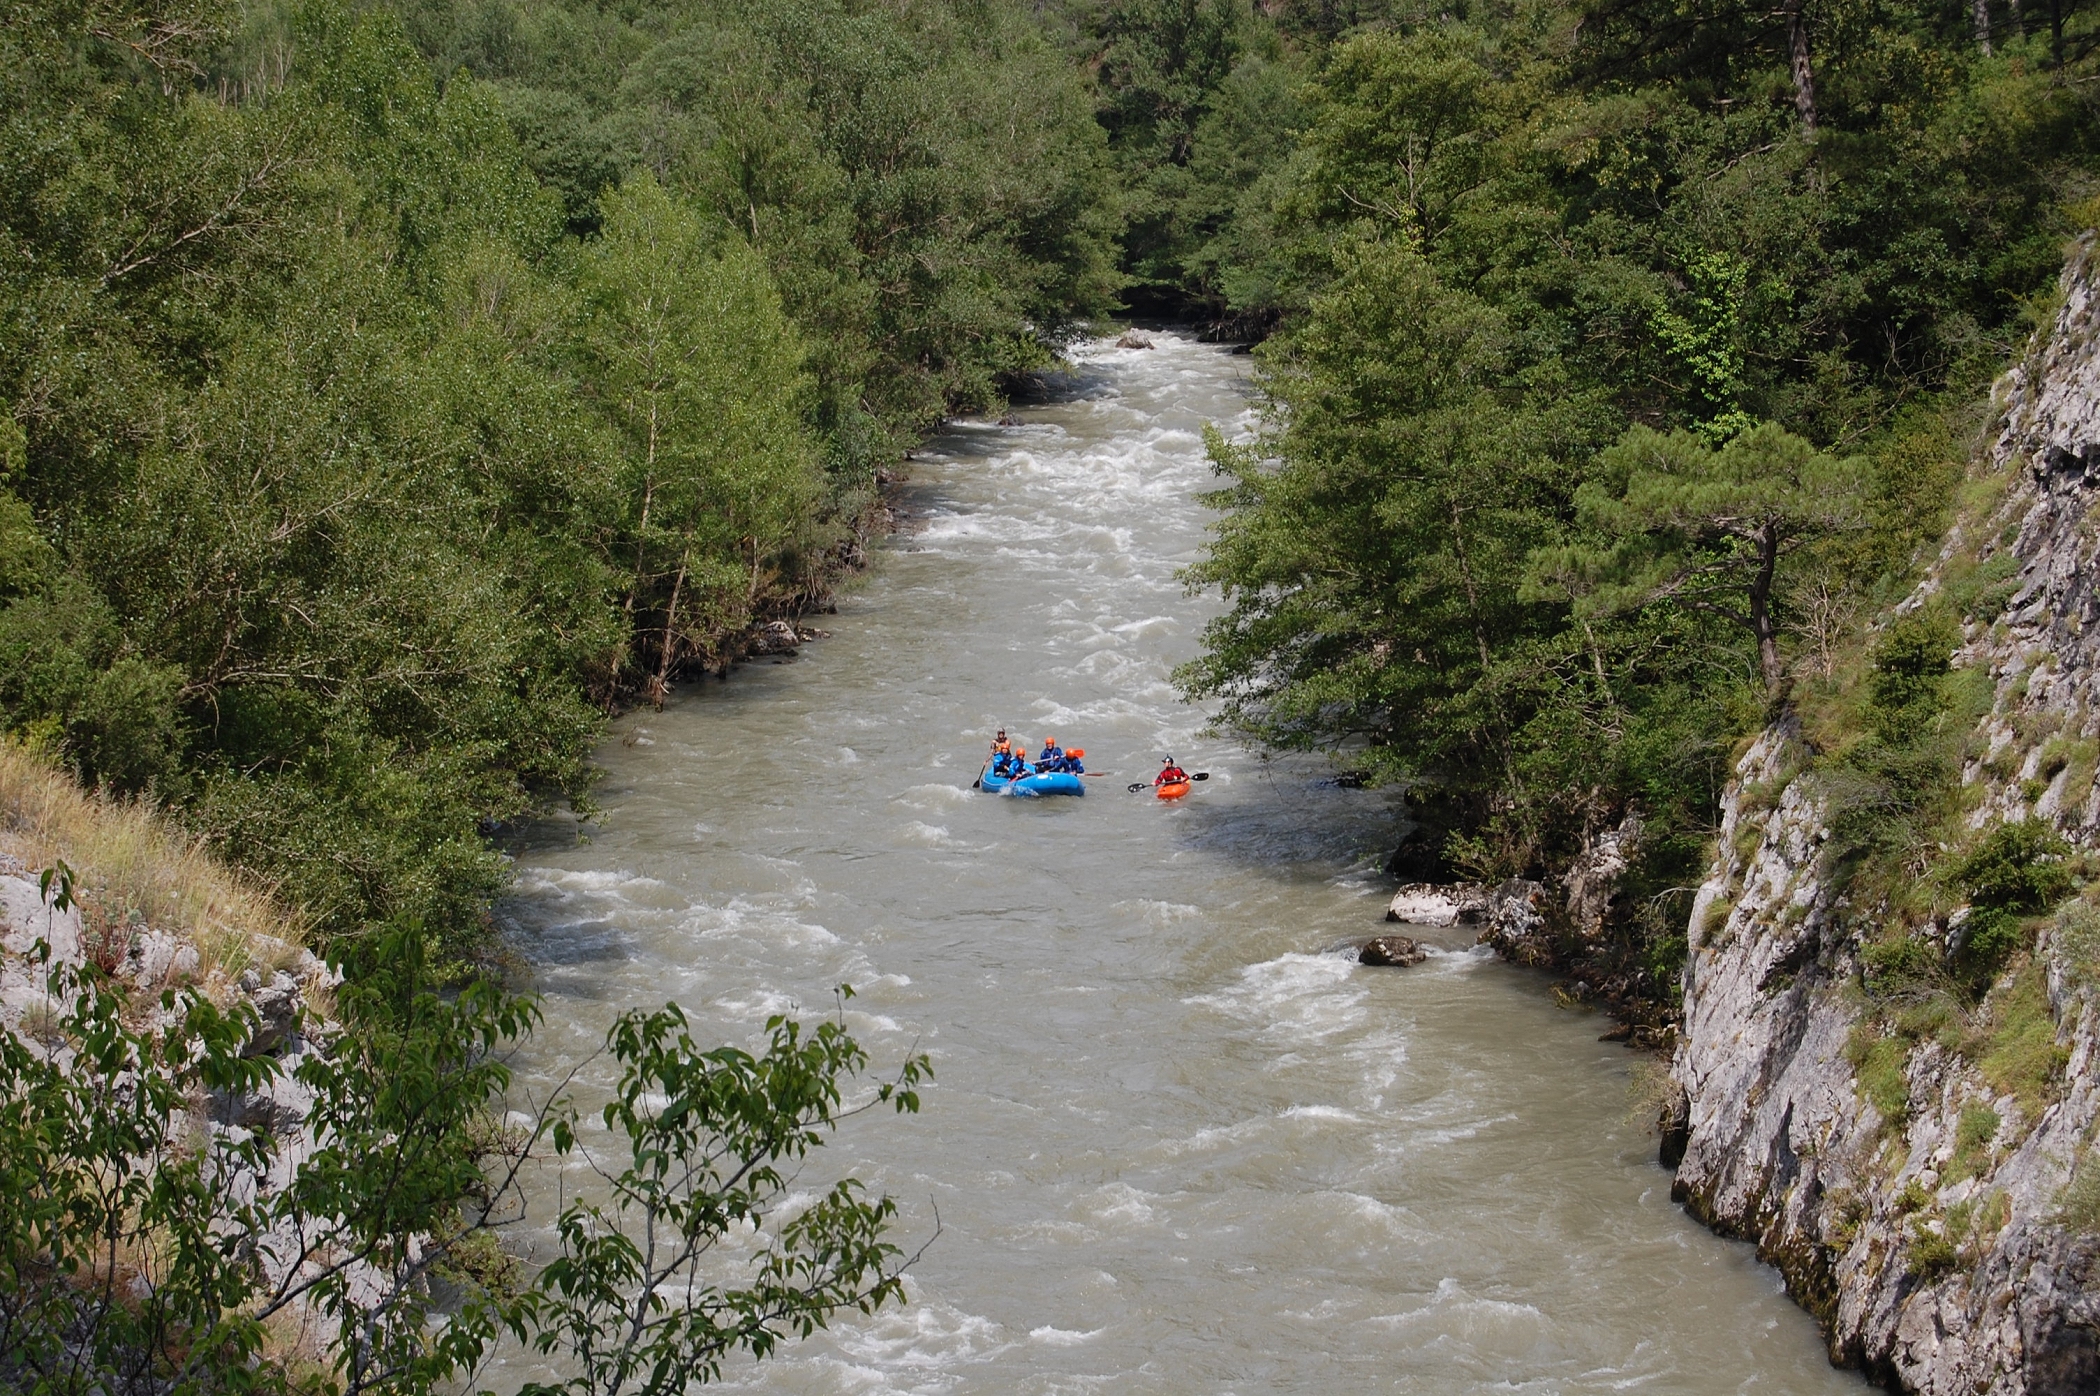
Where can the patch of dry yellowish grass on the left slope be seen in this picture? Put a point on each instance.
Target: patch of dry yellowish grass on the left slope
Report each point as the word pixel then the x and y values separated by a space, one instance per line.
pixel 135 868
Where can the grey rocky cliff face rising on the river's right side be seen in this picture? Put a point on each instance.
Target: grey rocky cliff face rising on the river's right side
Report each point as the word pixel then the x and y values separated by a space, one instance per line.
pixel 1933 1240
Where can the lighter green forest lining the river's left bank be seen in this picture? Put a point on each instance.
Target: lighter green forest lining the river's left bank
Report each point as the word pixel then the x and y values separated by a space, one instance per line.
pixel 398 392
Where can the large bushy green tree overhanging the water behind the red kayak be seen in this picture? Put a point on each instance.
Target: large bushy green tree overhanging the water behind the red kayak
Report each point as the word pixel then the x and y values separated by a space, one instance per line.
pixel 1374 541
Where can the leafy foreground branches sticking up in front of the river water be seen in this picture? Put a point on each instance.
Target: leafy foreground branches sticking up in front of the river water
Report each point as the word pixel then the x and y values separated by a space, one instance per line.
pixel 715 1141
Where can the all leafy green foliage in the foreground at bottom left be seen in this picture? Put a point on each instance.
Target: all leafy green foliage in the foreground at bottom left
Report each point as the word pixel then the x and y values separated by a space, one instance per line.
pixel 150 1244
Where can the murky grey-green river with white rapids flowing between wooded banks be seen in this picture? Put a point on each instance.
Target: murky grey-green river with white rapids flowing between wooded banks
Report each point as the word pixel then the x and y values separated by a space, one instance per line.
pixel 1173 1145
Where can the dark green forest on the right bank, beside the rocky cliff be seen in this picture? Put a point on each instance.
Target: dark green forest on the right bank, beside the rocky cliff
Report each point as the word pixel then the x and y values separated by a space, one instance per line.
pixel 1626 360
